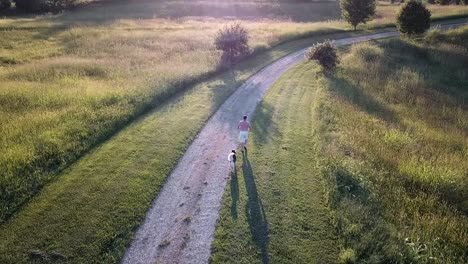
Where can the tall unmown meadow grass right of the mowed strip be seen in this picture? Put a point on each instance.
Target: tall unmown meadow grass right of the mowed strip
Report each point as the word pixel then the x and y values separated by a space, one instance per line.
pixel 394 130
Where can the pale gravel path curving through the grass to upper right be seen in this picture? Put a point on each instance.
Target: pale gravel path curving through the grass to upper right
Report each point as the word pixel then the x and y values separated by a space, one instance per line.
pixel 179 227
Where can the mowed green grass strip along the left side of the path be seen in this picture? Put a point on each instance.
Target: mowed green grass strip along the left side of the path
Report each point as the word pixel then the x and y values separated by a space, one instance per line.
pixel 89 213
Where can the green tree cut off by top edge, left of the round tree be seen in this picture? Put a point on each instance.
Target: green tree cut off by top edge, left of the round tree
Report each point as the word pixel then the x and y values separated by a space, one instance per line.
pixel 357 11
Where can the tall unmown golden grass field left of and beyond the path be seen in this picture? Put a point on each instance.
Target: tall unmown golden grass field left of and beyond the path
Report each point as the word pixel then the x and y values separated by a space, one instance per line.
pixel 69 81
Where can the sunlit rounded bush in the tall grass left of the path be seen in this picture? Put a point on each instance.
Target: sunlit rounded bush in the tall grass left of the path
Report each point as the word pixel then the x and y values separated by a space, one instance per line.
pixel 233 41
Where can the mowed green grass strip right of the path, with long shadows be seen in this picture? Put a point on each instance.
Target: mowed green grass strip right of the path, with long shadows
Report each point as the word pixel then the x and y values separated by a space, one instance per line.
pixel 275 209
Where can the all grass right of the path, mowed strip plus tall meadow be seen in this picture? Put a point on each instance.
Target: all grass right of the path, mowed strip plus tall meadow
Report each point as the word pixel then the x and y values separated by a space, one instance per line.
pixel 387 133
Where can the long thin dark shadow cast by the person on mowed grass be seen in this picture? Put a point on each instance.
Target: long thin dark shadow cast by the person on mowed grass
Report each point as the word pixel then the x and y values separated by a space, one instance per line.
pixel 254 211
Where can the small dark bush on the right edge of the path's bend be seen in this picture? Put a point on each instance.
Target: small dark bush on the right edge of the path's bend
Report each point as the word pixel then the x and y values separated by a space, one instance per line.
pixel 325 54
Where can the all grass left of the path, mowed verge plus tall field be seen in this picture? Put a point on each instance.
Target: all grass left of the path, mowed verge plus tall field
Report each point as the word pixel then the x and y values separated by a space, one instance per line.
pixel 69 81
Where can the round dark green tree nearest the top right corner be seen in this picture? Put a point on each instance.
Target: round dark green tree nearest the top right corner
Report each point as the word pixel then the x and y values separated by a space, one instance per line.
pixel 414 18
